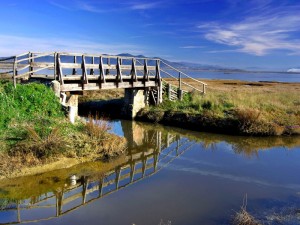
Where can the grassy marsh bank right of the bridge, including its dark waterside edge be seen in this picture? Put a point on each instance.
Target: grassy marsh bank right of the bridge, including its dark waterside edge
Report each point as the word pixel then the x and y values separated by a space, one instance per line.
pixel 229 106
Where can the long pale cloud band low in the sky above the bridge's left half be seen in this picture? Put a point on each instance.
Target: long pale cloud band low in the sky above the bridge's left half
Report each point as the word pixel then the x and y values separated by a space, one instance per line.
pixel 14 45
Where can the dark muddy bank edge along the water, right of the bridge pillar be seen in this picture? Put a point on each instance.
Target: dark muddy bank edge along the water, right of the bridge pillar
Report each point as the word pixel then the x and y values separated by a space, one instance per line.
pixel 210 123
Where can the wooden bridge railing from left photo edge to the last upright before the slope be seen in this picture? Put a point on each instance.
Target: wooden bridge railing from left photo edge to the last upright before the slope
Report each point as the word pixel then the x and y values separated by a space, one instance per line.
pixel 96 69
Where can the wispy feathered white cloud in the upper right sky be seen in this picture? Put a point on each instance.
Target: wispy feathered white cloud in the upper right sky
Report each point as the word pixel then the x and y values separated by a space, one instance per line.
pixel 259 34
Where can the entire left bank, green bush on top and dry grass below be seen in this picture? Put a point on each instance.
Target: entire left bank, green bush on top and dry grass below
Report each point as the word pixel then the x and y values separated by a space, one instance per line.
pixel 34 131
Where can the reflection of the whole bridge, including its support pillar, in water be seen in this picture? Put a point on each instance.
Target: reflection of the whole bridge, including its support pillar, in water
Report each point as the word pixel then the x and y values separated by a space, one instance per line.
pixel 148 152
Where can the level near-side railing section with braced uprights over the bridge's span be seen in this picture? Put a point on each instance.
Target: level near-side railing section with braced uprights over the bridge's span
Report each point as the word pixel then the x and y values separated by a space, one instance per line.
pixel 91 68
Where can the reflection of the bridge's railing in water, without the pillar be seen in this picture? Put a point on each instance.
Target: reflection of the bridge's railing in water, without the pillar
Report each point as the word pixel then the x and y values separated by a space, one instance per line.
pixel 83 190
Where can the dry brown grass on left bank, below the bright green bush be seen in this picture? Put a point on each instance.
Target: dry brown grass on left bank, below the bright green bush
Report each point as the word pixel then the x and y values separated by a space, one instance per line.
pixel 90 141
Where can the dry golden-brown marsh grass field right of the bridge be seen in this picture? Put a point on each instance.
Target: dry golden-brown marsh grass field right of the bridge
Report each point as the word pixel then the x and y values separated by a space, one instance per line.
pixel 269 108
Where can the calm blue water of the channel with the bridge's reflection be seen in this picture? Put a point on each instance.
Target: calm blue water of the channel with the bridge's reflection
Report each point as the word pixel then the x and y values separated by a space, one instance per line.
pixel 169 176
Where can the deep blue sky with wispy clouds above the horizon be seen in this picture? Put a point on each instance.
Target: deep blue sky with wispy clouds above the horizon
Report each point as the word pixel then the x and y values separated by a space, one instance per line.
pixel 231 33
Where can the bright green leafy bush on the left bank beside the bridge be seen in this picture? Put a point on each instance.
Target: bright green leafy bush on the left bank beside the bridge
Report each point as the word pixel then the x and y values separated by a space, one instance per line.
pixel 27 103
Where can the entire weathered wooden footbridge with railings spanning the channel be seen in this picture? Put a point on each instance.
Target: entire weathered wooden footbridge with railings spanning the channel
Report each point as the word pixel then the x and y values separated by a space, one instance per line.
pixel 73 73
